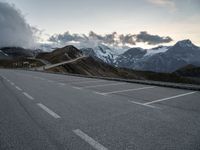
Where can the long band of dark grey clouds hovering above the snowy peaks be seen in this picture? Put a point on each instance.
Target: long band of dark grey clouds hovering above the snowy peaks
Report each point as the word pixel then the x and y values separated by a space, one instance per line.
pixel 113 39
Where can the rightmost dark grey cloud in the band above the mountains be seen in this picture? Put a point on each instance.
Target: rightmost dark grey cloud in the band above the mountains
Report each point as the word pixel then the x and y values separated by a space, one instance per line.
pixel 152 39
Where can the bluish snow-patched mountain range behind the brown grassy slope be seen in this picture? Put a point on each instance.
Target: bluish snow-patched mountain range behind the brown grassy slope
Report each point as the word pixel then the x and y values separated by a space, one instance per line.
pixel 158 59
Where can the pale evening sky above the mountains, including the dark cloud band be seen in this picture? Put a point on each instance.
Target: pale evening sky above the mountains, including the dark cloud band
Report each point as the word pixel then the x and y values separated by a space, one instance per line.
pixel 145 23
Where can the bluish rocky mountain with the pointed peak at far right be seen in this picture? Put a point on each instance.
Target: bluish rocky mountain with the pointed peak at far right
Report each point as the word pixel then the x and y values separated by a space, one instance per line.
pixel 175 57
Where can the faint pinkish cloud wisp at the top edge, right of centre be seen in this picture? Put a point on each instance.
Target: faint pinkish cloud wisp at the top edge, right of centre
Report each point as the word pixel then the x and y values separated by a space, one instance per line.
pixel 164 3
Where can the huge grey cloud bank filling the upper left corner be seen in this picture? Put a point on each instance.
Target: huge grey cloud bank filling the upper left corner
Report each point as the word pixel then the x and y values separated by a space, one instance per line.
pixel 14 31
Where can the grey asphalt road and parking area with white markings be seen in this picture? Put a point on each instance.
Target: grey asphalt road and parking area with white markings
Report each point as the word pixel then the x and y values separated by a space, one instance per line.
pixel 42 111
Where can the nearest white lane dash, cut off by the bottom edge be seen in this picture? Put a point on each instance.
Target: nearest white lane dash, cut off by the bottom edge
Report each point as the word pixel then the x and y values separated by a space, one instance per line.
pixel 89 140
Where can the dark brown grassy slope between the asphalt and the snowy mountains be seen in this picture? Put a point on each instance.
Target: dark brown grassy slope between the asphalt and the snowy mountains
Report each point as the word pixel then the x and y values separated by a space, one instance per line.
pixel 91 67
